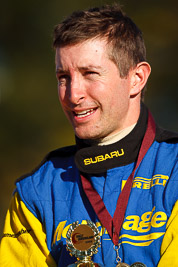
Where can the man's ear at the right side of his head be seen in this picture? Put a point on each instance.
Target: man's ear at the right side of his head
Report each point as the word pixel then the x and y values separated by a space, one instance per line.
pixel 139 77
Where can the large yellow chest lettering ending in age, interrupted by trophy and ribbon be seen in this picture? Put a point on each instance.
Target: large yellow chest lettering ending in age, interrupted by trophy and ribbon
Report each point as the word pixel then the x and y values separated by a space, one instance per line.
pixel 139 230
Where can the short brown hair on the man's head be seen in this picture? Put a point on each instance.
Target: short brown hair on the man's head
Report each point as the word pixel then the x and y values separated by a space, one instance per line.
pixel 125 41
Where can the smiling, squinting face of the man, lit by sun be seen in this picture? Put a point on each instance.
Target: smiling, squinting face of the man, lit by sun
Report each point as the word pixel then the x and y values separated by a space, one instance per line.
pixel 93 96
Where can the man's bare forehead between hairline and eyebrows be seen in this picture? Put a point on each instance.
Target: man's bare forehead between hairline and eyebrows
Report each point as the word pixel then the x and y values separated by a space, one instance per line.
pixel 89 52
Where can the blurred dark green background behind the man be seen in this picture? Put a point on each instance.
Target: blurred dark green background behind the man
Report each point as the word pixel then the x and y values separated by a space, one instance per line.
pixel 32 122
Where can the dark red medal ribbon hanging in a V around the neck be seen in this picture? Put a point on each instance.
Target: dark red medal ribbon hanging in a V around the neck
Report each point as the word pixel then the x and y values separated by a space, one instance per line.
pixel 113 225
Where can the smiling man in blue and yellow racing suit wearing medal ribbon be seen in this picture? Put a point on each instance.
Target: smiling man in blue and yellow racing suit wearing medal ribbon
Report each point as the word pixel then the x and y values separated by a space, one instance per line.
pixel 121 175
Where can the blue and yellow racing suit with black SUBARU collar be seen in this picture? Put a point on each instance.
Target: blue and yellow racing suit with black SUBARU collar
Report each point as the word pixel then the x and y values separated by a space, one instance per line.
pixel 47 201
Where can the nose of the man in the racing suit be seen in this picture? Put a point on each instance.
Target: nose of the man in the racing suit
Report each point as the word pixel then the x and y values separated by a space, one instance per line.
pixel 76 90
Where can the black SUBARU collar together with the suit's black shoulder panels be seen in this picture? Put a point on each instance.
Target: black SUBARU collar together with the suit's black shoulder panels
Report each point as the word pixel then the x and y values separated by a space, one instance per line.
pixel 99 159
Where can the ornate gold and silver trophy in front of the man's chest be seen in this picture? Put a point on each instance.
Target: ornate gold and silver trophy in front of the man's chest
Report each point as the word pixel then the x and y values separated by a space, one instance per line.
pixel 82 242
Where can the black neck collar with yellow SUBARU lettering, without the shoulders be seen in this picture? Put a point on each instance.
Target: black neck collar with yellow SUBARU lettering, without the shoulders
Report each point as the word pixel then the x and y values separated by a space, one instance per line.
pixel 97 159
